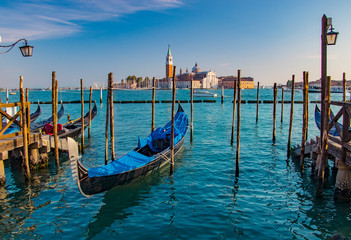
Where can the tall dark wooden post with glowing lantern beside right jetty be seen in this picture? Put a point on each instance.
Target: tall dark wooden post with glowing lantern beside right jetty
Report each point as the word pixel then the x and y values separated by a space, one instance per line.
pixel 327 39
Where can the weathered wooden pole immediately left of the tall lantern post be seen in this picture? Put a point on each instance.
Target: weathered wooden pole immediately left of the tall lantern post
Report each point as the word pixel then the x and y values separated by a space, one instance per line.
pixel 304 119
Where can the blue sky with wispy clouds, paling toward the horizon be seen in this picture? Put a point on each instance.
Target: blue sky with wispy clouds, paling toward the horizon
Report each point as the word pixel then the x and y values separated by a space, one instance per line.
pixel 268 40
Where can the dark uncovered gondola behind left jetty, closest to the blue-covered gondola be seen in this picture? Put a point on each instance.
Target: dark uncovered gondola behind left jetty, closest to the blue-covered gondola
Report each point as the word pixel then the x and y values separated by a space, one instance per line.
pixel 74 129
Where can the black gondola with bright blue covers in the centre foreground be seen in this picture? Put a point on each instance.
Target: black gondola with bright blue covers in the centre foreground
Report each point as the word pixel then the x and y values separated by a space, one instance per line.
pixel 150 154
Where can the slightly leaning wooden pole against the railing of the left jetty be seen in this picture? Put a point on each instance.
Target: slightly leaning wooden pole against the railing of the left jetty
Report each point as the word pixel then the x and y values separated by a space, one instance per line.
pixel 24 130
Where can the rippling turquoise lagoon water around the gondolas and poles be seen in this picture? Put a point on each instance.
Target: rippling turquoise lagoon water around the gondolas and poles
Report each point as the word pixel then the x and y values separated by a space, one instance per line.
pixel 271 198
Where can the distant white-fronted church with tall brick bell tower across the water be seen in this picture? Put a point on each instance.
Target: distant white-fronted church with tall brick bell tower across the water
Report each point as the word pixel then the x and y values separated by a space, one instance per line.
pixel 201 79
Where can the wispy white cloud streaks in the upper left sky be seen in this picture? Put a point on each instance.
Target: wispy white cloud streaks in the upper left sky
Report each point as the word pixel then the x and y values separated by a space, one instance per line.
pixel 41 19
